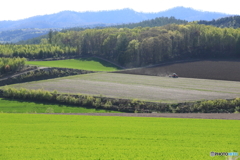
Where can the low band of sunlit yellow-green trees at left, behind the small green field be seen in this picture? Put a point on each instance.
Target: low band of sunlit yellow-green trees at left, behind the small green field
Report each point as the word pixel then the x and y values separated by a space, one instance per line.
pixel 39 51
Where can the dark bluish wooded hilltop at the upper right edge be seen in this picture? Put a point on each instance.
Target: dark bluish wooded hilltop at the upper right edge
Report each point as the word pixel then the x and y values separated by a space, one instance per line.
pixel 227 22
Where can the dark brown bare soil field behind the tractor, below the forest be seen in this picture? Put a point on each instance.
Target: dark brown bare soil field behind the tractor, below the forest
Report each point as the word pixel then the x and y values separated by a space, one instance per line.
pixel 205 69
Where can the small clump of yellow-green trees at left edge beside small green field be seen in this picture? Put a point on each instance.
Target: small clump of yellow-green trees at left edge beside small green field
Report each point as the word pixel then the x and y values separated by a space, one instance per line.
pixel 11 64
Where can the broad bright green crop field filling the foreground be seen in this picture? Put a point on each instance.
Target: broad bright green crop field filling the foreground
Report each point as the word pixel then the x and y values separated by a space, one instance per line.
pixel 32 136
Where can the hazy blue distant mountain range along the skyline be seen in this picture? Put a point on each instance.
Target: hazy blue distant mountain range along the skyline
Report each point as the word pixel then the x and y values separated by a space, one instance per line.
pixel 67 19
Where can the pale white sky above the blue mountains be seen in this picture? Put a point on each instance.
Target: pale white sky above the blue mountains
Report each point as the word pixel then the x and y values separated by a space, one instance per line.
pixel 20 9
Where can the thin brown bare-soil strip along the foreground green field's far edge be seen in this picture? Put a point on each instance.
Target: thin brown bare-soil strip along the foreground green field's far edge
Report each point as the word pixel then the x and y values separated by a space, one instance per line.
pixel 166 115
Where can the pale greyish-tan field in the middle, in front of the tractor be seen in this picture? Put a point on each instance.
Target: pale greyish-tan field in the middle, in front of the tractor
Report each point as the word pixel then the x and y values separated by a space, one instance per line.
pixel 151 88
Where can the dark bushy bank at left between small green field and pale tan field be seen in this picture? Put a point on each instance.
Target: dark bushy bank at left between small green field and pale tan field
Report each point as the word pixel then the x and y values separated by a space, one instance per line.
pixel 41 74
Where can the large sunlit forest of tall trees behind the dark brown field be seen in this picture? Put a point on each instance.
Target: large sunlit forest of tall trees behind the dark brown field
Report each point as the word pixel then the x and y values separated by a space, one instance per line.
pixel 143 46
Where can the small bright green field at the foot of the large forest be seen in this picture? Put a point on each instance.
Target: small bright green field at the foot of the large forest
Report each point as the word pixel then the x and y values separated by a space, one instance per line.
pixel 93 64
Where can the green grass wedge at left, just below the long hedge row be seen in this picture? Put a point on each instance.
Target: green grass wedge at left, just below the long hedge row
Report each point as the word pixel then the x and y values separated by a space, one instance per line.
pixel 13 106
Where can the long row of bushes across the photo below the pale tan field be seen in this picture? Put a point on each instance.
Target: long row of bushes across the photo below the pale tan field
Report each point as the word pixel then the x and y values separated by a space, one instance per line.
pixel 125 105
